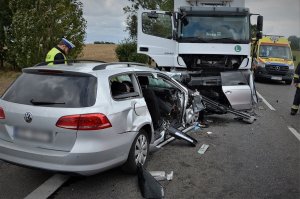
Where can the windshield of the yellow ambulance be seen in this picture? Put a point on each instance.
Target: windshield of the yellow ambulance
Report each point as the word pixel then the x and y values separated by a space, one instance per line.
pixel 268 51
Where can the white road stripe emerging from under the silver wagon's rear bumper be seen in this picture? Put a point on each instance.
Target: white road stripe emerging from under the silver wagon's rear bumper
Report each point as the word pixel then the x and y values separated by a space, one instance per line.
pixel 48 187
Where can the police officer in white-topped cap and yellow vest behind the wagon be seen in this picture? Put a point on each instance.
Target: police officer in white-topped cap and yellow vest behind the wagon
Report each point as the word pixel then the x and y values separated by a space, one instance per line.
pixel 57 55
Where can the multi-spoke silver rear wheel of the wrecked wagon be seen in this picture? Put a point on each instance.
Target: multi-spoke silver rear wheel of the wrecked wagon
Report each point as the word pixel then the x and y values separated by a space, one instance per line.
pixel 138 153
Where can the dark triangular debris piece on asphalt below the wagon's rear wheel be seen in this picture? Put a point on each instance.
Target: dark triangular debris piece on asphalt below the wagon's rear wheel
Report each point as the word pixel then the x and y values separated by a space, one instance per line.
pixel 149 186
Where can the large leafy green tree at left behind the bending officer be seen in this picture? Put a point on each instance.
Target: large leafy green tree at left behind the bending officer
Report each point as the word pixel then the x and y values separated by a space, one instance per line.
pixel 29 29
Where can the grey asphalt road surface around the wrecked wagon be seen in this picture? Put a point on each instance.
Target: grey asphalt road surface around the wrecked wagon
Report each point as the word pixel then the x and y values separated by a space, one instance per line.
pixel 259 160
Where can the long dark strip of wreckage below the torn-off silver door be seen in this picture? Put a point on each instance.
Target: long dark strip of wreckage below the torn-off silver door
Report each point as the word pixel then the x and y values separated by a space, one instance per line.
pixel 217 107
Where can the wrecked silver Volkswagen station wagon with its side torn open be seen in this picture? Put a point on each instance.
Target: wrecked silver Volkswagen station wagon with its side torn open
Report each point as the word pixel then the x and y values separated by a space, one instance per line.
pixel 88 117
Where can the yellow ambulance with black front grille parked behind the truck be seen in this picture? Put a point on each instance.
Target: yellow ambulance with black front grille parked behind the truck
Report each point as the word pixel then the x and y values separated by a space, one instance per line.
pixel 272 59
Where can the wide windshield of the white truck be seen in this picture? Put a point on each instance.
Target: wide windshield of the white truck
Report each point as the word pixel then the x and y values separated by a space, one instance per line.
pixel 216 29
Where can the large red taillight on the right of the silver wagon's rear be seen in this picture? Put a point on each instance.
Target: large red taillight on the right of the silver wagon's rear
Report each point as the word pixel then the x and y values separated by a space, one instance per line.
pixel 94 121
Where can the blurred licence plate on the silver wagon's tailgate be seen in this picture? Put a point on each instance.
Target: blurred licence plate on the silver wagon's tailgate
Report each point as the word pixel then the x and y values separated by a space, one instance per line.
pixel 32 135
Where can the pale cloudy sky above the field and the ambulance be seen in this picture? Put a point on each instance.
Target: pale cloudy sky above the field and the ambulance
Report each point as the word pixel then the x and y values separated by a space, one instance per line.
pixel 106 19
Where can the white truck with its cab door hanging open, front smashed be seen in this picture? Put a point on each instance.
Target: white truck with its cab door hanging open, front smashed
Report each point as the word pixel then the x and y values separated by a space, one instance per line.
pixel 206 44
